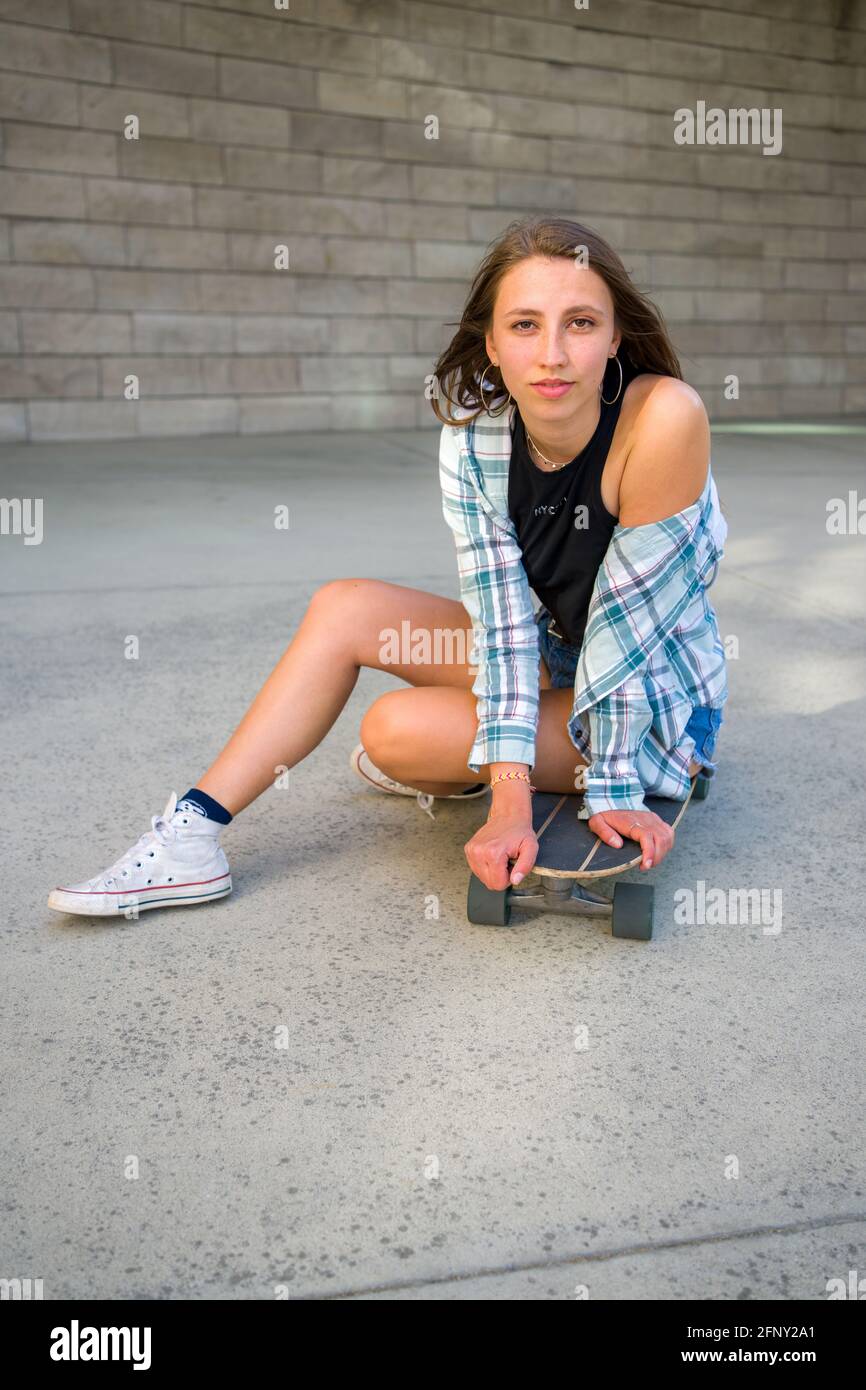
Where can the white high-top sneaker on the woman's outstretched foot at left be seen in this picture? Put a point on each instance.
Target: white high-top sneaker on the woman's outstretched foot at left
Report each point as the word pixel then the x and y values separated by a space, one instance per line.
pixel 179 861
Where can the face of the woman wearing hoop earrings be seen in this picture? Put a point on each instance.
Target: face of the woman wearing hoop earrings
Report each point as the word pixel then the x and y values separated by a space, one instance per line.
pixel 553 320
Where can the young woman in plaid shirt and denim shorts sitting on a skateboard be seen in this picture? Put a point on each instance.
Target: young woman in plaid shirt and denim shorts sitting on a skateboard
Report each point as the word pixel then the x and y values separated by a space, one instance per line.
pixel 590 483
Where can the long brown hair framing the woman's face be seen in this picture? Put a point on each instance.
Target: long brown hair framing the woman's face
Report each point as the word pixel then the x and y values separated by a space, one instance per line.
pixel 646 341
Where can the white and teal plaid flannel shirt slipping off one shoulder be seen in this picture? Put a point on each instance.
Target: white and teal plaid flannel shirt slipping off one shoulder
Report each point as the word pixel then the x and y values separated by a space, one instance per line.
pixel 651 650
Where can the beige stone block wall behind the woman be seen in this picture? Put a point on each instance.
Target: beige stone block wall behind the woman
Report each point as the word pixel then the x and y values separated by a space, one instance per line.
pixel 307 124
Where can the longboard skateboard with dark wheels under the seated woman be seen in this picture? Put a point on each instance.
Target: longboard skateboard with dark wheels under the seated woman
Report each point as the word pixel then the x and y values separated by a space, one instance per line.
pixel 571 862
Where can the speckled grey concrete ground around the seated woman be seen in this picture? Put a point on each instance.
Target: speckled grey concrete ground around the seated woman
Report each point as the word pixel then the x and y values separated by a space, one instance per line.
pixel 461 1111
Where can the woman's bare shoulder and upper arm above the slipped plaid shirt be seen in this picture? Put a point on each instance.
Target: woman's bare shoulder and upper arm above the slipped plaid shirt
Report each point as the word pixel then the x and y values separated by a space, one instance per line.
pixel 669 447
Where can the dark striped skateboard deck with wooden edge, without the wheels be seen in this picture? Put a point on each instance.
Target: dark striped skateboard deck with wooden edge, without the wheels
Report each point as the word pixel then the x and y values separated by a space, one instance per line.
pixel 569 850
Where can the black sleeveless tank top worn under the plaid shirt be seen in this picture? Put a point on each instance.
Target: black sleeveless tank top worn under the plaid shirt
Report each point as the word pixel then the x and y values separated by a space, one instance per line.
pixel 564 528
